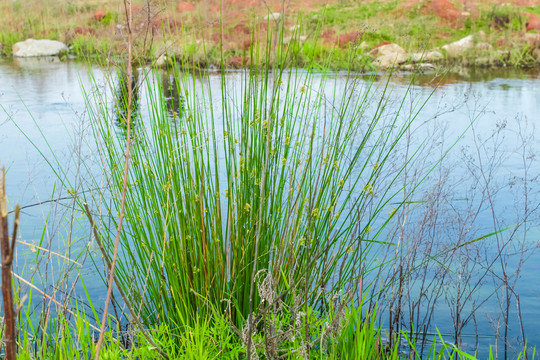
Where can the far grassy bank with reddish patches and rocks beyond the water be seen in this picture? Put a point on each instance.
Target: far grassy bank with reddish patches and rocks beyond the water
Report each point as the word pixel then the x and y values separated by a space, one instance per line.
pixel 411 35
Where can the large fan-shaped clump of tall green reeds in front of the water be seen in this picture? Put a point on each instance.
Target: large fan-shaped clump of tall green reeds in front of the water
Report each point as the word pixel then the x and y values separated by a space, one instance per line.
pixel 261 171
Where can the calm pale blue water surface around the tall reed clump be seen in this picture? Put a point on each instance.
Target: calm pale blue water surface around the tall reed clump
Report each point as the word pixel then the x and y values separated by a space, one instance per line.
pixel 42 99
